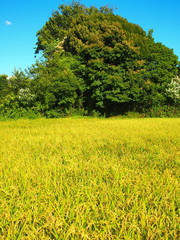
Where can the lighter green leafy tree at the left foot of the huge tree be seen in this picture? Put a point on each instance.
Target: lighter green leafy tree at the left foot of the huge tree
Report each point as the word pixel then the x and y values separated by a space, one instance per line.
pixel 55 84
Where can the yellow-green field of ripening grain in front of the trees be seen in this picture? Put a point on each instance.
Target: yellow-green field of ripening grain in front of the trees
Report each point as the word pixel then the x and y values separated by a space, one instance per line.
pixel 89 179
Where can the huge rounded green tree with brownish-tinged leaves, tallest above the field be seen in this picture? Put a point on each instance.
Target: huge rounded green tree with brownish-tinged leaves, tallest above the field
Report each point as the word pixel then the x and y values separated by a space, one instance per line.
pixel 118 66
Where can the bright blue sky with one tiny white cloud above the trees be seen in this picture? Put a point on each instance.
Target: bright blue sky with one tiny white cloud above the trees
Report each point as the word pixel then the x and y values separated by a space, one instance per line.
pixel 20 20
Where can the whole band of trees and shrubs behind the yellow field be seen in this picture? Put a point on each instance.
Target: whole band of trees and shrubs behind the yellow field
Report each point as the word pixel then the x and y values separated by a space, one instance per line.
pixel 93 62
